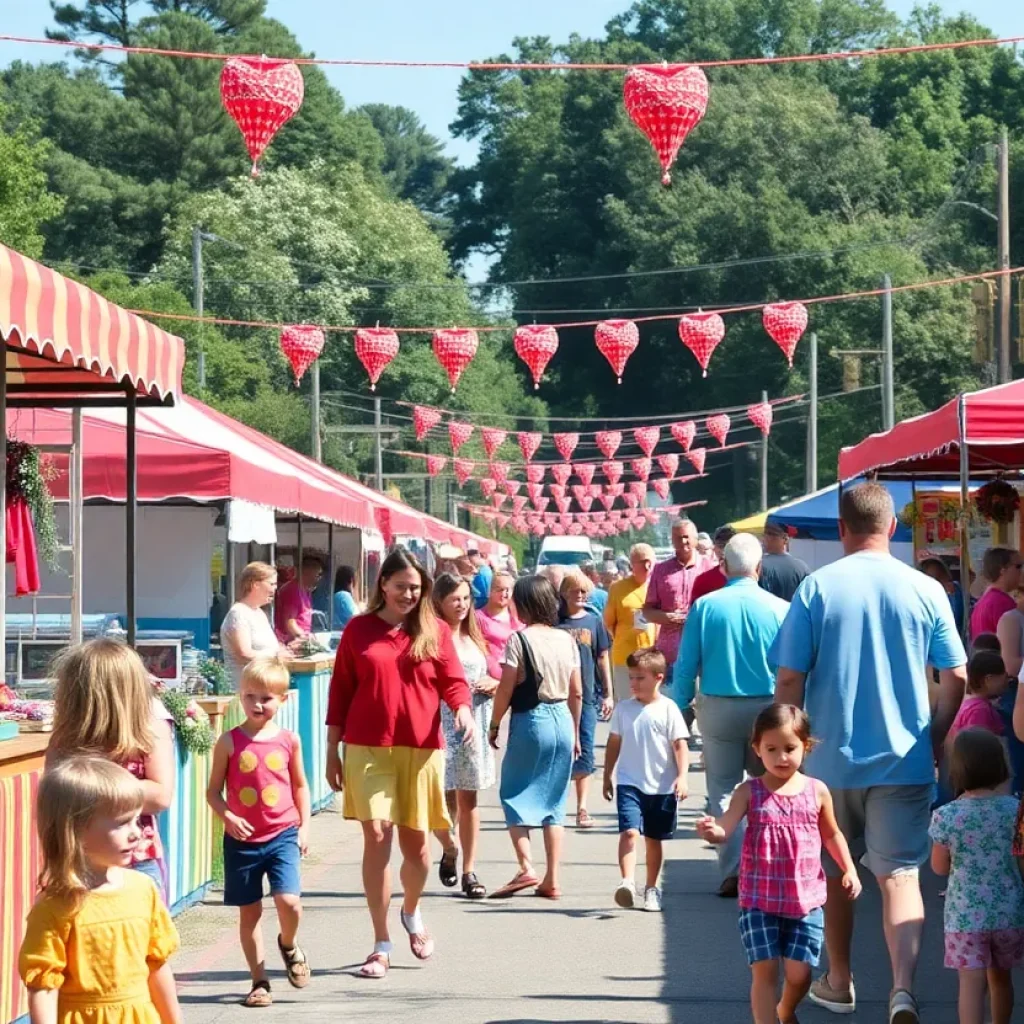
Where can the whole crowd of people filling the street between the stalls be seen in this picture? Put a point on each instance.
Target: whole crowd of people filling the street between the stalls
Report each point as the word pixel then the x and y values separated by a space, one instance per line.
pixel 843 729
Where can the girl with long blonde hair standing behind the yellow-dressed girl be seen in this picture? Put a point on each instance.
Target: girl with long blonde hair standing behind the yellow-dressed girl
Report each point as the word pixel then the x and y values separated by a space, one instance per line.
pixel 105 705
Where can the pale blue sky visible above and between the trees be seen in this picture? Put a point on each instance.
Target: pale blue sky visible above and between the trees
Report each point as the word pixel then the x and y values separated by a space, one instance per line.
pixel 442 30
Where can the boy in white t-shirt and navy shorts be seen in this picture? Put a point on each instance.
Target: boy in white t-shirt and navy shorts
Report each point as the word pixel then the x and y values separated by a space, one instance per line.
pixel 649 743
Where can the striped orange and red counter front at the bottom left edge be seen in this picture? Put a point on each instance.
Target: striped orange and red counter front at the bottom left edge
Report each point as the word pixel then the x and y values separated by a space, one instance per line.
pixel 20 867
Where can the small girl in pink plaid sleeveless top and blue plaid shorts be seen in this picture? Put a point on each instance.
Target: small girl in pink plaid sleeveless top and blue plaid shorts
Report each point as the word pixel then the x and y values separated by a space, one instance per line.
pixel 789 817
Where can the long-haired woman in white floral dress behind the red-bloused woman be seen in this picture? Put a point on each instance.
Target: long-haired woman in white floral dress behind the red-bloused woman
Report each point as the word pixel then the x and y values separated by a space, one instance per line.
pixel 468 769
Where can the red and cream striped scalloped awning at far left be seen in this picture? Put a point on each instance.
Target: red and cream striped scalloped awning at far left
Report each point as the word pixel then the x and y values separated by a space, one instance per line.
pixel 65 342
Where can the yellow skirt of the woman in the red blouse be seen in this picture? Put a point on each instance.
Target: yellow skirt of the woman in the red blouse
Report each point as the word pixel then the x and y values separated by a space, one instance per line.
pixel 401 785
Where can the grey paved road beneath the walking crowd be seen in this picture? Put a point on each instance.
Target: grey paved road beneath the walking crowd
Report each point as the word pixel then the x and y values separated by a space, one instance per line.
pixel 529 961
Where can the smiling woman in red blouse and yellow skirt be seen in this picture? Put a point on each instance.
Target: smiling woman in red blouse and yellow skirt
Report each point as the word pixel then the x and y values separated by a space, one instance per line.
pixel 395 666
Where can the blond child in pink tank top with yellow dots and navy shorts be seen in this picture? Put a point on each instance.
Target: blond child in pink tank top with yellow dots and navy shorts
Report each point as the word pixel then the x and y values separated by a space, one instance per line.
pixel 267 822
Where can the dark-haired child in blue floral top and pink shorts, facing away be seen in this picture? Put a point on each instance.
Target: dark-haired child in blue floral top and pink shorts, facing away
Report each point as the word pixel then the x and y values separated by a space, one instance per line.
pixel 972 842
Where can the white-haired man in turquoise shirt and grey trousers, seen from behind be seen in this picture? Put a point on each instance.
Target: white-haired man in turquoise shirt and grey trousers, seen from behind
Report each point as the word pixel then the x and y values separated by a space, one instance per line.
pixel 727 643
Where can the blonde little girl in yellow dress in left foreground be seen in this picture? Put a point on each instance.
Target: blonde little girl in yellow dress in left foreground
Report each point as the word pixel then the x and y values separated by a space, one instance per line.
pixel 99 938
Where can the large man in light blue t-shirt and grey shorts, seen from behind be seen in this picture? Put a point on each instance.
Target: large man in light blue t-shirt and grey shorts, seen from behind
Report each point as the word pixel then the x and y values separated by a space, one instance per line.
pixel 856 651
